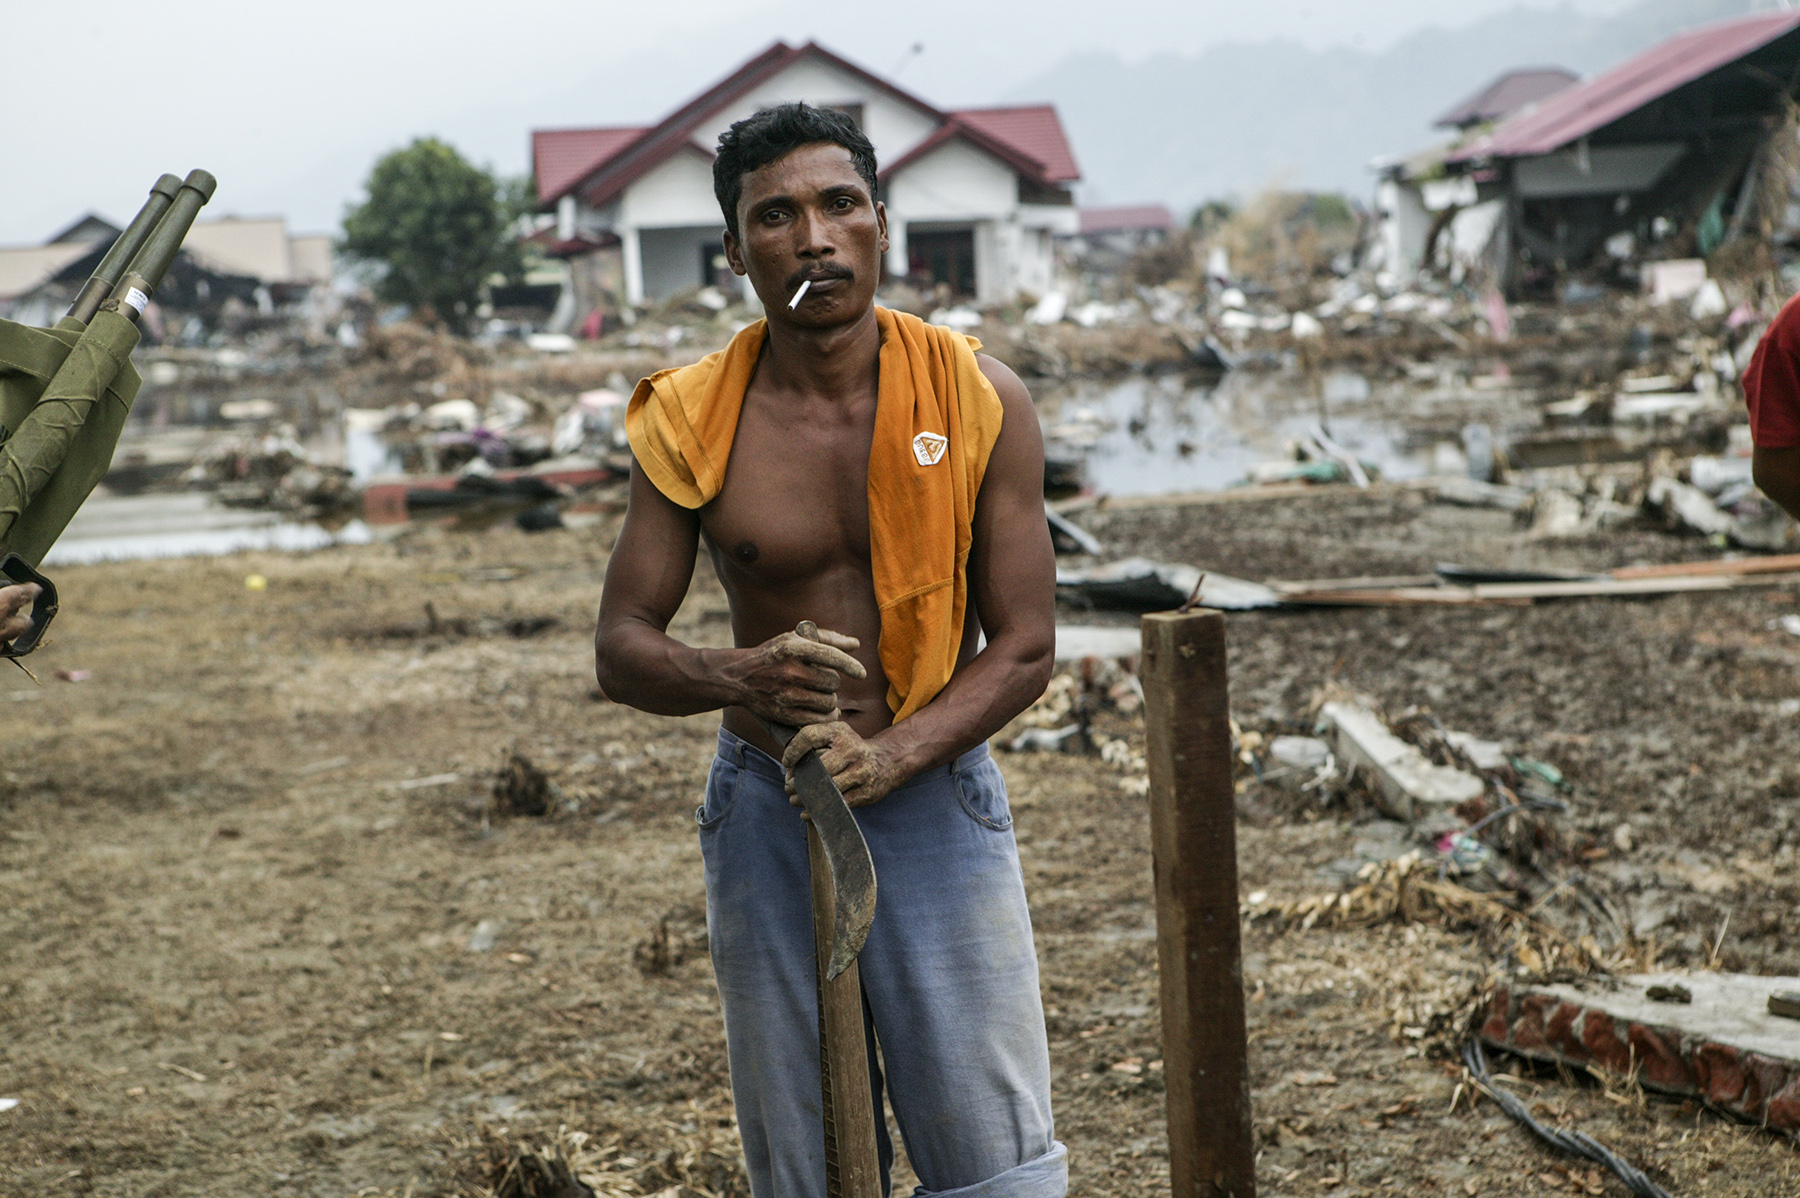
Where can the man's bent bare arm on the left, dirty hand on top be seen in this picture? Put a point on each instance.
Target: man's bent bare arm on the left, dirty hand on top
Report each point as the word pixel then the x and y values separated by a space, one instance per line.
pixel 787 681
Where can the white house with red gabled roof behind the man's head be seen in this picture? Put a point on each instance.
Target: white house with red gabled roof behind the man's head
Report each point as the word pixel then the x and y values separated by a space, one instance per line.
pixel 975 197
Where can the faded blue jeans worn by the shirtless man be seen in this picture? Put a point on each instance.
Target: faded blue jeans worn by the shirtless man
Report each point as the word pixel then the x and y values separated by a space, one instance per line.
pixel 949 983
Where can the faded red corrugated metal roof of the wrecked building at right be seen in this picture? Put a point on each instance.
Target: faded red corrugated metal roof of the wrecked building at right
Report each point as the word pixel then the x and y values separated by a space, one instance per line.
pixel 1624 89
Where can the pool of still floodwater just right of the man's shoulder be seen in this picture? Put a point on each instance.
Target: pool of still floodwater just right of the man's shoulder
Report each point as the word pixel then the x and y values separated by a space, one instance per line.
pixel 1149 436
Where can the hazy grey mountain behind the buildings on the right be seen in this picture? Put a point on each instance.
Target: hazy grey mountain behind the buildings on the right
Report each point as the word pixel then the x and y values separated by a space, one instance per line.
pixel 1243 118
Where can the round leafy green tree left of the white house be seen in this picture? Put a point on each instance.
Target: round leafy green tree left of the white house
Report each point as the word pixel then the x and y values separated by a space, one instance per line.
pixel 438 228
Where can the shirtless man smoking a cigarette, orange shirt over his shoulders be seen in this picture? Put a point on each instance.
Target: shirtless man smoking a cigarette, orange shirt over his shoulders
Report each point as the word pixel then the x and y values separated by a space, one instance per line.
pixel 949 972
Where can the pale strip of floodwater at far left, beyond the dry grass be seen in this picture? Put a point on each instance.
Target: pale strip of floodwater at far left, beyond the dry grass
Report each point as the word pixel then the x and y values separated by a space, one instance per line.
pixel 184 526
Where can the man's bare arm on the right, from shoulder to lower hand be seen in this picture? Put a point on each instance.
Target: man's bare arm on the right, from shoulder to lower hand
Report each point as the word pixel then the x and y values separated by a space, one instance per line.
pixel 1012 591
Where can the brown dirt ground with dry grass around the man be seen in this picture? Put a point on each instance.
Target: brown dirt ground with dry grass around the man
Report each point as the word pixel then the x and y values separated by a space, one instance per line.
pixel 265 931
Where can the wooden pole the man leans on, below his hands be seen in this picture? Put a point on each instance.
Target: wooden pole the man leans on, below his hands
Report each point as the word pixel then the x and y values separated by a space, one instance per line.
pixel 852 1168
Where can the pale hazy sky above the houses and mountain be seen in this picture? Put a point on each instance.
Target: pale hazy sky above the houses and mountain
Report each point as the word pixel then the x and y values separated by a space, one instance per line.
pixel 291 103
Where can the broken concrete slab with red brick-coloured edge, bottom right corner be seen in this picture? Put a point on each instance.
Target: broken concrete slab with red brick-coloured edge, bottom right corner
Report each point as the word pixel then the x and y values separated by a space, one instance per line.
pixel 1723 1046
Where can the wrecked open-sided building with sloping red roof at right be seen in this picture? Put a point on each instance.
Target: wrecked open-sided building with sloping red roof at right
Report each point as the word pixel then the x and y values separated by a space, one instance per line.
pixel 1678 148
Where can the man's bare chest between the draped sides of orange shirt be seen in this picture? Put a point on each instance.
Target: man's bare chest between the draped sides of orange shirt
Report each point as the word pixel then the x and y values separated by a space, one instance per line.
pixel 796 496
